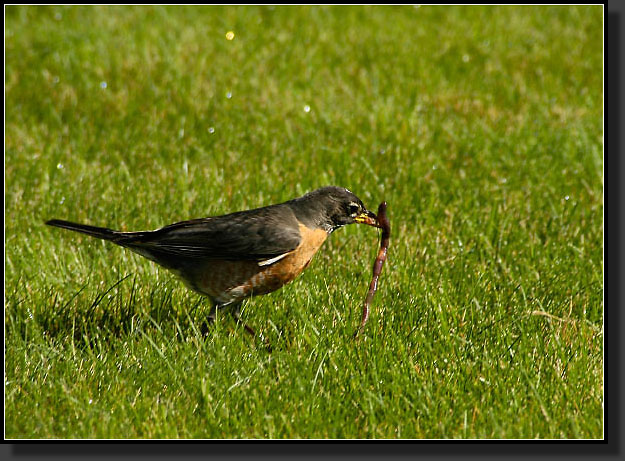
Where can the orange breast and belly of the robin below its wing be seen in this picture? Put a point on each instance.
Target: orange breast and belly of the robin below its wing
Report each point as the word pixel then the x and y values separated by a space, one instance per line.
pixel 229 281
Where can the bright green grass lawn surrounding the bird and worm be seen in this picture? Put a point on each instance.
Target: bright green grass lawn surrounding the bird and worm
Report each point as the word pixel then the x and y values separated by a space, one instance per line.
pixel 481 127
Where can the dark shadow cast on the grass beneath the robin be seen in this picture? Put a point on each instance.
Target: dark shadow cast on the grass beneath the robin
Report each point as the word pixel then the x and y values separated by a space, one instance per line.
pixel 118 311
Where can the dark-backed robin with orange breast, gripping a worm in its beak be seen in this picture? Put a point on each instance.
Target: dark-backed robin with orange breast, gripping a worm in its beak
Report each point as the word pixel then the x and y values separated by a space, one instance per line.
pixel 238 255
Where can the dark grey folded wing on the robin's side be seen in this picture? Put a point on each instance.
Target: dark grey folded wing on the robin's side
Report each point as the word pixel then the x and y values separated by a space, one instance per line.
pixel 258 235
